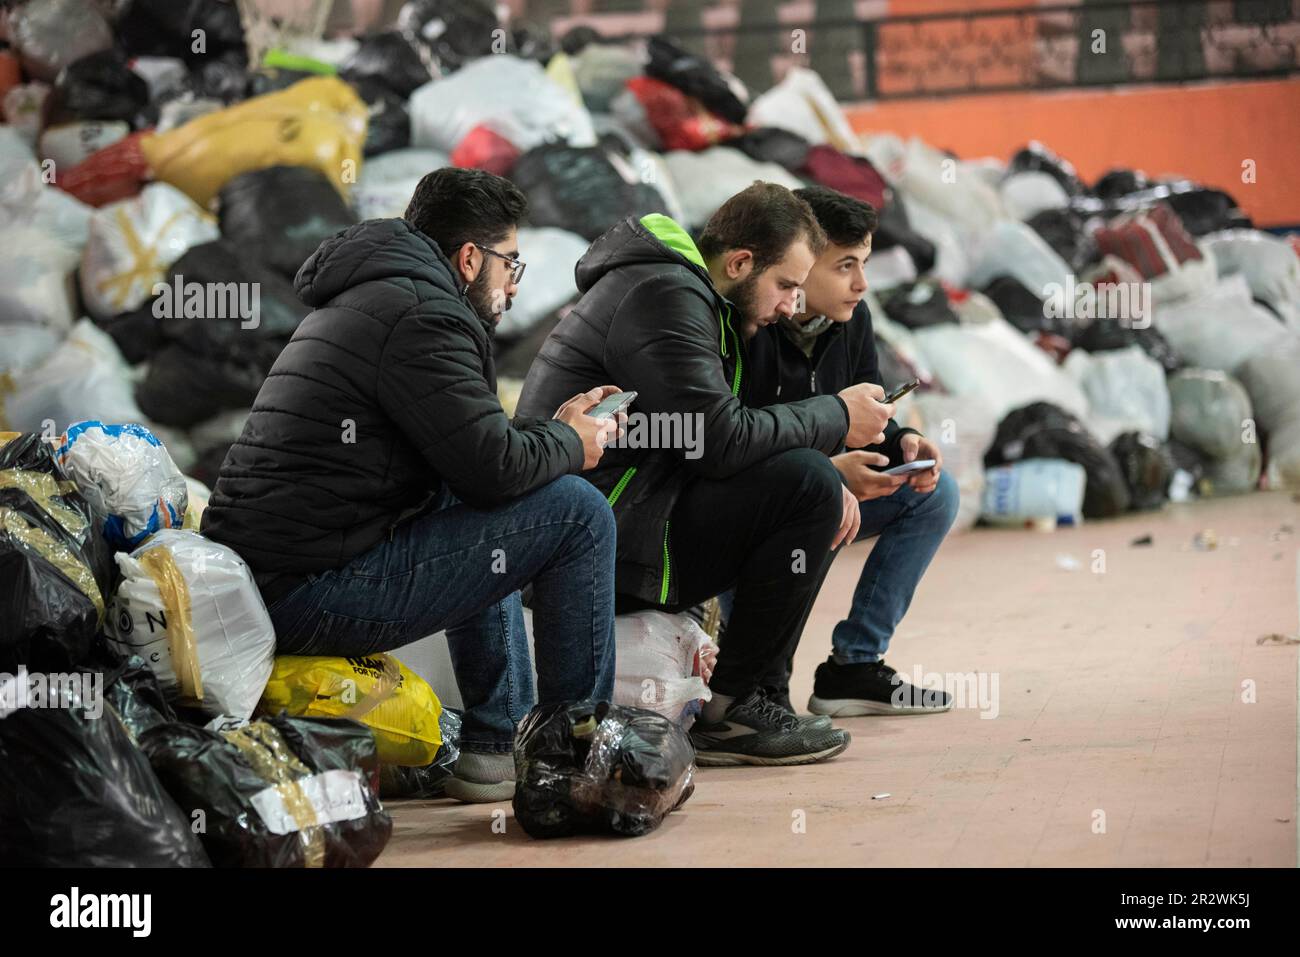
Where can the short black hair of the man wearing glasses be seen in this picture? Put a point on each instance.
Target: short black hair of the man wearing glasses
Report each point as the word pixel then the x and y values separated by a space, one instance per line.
pixel 454 207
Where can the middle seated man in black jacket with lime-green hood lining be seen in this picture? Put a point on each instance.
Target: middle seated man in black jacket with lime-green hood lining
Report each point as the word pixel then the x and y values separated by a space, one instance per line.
pixel 736 496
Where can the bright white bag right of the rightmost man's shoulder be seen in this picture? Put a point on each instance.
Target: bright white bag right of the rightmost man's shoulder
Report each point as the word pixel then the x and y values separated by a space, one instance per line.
pixel 998 366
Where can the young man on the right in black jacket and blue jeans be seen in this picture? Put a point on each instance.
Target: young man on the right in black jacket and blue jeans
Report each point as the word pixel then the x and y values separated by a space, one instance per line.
pixel 825 349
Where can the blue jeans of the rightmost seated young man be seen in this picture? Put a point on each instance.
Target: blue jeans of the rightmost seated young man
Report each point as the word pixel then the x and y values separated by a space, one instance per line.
pixel 911 526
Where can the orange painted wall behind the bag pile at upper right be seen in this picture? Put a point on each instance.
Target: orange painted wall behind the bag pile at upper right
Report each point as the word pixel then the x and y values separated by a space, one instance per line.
pixel 1201 132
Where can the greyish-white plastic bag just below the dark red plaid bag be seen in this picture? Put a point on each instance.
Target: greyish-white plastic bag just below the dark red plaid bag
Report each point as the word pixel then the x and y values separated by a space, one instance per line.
pixel 1220 330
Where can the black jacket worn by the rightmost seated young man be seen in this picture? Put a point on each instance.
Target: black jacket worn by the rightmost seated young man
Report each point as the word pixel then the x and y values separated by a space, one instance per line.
pixel 844 356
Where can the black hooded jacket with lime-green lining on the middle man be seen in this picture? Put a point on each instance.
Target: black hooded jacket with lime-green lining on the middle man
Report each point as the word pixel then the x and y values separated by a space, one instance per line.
pixel 651 321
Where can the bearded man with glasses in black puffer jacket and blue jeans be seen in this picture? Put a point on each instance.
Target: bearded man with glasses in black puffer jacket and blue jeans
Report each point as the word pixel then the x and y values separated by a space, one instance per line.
pixel 380 493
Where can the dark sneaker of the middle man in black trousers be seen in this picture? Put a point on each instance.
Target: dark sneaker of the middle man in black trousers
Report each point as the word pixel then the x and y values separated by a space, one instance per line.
pixel 759 731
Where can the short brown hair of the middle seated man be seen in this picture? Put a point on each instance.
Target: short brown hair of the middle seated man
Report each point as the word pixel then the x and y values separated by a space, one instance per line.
pixel 765 219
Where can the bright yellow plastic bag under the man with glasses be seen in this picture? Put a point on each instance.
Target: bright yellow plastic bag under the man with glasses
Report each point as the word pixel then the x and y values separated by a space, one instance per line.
pixel 379 691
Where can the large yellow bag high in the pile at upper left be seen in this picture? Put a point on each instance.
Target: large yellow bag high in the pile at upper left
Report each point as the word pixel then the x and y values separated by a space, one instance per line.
pixel 318 123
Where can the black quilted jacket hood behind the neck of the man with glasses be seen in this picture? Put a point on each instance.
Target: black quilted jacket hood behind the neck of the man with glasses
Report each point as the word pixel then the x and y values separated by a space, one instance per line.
pixel 370 252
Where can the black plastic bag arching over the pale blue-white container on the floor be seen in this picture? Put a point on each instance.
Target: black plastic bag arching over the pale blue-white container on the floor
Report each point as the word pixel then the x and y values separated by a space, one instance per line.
pixel 1043 431
